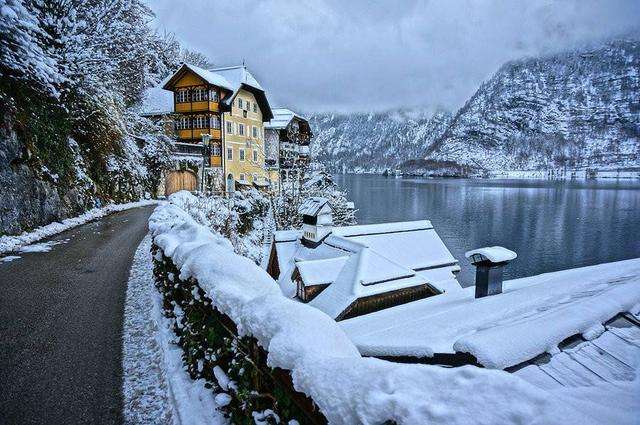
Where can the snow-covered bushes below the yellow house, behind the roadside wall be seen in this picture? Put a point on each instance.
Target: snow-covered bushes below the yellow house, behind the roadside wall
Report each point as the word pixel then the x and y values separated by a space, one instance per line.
pixel 241 217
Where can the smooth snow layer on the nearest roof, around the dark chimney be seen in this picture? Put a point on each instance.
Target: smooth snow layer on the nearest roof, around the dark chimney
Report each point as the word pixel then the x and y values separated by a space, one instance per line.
pixel 532 316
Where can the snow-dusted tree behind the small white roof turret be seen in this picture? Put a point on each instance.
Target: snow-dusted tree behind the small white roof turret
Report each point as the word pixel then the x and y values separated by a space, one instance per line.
pixel 317 183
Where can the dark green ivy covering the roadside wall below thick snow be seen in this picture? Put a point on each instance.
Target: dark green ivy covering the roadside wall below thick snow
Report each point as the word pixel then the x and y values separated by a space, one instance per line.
pixel 234 366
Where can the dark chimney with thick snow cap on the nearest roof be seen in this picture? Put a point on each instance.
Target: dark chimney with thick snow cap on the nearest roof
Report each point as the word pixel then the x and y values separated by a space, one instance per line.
pixel 489 263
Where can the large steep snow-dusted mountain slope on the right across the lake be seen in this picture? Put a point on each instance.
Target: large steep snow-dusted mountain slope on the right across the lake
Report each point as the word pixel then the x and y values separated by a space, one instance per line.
pixel 579 109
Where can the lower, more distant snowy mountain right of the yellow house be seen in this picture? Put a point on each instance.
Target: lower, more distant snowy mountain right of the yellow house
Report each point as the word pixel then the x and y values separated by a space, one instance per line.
pixel 374 142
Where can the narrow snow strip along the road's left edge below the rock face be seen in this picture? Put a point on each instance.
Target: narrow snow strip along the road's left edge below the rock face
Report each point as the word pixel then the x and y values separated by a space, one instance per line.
pixel 13 243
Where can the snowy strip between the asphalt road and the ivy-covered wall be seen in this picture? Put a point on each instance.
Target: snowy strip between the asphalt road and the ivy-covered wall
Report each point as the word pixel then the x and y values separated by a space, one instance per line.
pixel 157 389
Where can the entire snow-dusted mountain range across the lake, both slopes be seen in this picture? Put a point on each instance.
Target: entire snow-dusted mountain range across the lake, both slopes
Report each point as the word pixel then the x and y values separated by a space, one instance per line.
pixel 579 109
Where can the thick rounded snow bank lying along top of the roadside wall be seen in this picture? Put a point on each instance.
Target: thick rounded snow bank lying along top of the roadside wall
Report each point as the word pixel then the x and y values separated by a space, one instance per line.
pixel 326 365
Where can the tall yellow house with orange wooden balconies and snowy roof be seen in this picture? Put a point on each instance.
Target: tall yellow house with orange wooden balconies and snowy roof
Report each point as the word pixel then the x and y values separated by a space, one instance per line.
pixel 229 105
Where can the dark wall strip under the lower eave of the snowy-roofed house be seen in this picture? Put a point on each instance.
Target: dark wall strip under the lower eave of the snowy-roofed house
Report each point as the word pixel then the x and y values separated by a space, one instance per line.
pixel 378 302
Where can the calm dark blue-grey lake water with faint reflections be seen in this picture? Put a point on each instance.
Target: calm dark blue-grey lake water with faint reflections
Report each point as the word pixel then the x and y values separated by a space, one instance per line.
pixel 552 225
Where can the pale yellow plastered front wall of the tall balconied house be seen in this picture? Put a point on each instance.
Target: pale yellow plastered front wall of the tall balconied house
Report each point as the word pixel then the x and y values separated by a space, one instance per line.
pixel 236 142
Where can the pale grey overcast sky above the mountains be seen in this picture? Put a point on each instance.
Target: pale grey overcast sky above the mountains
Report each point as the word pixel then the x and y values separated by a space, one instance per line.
pixel 365 55
